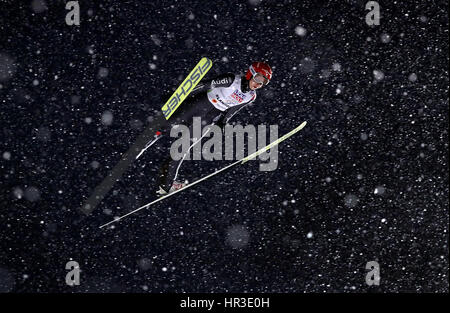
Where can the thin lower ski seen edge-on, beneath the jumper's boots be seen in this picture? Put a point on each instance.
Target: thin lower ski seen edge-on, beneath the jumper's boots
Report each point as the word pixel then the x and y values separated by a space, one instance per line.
pixel 242 161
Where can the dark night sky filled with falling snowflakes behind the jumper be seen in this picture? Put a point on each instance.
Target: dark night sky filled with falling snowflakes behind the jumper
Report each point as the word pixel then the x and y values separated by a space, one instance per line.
pixel 367 179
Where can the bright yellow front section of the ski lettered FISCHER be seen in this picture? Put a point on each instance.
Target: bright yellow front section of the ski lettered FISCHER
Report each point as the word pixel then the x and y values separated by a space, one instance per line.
pixel 186 87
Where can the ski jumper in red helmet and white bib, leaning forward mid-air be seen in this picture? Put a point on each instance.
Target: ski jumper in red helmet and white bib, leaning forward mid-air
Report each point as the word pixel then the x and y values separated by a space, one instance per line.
pixel 216 101
